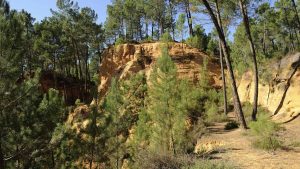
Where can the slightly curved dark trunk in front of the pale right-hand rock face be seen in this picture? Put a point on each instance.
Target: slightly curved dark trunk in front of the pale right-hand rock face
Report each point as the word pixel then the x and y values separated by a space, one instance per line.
pixel 248 32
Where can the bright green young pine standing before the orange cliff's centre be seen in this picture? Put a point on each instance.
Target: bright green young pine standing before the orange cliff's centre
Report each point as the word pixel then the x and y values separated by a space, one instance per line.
pixel 167 115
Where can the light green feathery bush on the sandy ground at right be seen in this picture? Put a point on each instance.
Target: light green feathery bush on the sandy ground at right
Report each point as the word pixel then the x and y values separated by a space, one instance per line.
pixel 265 132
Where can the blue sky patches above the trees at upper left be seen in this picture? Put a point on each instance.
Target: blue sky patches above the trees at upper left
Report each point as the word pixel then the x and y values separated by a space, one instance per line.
pixel 41 8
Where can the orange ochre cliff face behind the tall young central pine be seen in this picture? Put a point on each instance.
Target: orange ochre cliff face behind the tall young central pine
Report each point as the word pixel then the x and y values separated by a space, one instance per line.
pixel 125 60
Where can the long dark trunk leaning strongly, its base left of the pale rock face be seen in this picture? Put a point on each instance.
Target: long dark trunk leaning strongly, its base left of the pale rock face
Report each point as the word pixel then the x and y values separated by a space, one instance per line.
pixel 237 103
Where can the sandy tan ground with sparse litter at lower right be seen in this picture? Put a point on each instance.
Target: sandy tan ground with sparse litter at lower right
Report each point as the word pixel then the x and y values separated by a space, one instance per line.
pixel 239 151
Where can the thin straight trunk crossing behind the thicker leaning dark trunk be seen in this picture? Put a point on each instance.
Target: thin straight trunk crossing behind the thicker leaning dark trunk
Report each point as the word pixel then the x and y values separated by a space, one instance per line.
pixel 221 58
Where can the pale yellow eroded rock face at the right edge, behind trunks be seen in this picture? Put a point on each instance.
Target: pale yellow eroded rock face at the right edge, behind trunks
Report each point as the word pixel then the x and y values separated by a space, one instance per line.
pixel 281 95
